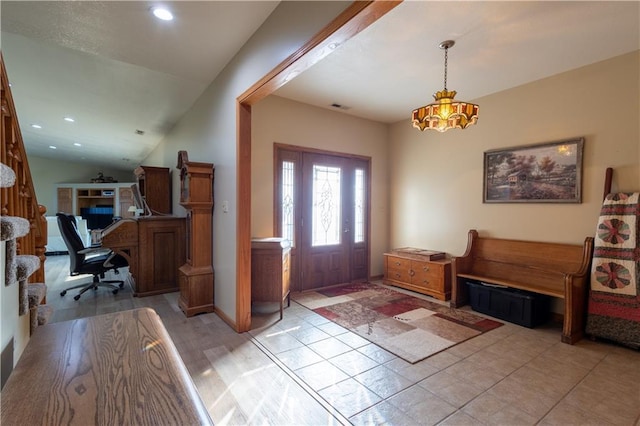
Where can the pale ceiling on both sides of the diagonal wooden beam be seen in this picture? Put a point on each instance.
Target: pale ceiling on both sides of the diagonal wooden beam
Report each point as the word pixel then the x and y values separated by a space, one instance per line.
pixel 117 71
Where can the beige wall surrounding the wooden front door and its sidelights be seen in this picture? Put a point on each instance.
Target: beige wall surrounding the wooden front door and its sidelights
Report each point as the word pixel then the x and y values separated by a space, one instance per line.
pixel 279 120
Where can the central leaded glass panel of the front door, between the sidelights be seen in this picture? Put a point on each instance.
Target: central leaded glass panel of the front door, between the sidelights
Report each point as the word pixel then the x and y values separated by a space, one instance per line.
pixel 326 206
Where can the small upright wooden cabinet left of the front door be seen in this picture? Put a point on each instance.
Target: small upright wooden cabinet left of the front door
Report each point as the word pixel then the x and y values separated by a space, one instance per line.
pixel 270 271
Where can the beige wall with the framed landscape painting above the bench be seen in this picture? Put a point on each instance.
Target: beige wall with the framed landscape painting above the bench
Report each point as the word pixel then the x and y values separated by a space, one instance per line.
pixel 436 178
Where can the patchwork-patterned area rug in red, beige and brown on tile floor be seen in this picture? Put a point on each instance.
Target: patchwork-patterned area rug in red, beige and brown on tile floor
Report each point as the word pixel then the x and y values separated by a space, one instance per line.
pixel 409 327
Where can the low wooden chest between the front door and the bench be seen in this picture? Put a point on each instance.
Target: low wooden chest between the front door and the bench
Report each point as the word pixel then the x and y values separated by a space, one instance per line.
pixel 418 273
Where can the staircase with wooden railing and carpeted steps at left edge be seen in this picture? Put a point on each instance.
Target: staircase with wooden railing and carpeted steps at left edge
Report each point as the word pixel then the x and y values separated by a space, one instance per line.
pixel 23 232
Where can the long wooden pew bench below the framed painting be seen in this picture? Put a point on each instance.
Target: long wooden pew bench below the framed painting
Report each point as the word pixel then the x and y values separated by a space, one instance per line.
pixel 558 270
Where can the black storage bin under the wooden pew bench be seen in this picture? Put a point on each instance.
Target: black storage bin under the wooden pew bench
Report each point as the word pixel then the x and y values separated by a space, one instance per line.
pixel 517 306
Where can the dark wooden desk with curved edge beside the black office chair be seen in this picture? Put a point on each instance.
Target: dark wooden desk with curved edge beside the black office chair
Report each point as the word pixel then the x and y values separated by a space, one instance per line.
pixel 154 246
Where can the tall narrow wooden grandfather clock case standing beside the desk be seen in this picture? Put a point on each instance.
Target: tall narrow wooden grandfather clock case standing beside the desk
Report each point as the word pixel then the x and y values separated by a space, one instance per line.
pixel 196 275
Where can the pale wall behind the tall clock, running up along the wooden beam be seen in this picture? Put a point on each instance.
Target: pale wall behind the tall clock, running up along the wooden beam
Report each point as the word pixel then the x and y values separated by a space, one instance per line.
pixel 208 131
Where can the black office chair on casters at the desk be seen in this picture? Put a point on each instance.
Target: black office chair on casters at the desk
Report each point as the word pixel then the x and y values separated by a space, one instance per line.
pixel 85 261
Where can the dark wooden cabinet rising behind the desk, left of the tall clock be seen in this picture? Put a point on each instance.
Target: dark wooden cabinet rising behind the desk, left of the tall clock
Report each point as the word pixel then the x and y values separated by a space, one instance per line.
pixel 155 187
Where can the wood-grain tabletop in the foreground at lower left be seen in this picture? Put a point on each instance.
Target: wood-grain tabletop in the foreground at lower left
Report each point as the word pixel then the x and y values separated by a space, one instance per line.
pixel 114 369
